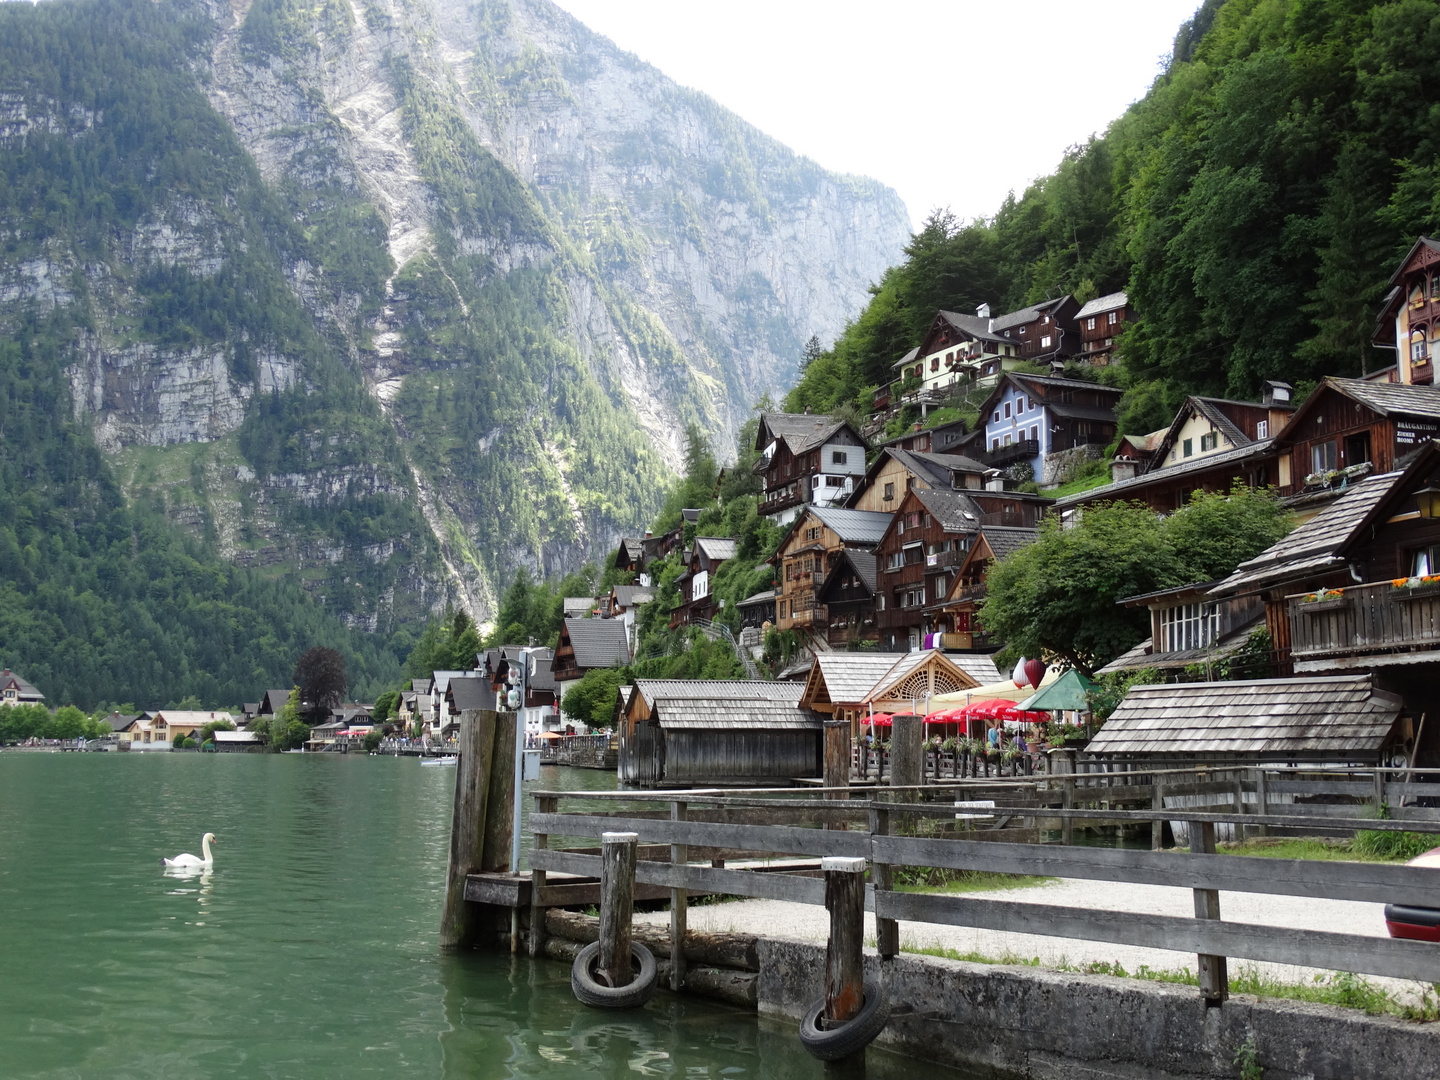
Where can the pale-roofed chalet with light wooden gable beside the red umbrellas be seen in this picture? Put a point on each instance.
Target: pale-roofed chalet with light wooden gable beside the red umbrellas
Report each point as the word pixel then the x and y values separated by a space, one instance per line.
pixel 850 686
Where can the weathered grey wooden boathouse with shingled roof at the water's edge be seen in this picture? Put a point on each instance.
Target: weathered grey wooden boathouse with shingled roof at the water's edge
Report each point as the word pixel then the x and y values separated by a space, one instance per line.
pixel 708 734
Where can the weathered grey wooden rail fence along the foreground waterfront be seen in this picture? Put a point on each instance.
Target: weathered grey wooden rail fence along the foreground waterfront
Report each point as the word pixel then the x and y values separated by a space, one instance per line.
pixel 917 827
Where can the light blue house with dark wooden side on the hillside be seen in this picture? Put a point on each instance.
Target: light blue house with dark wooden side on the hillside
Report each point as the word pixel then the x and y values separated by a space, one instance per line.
pixel 1042 421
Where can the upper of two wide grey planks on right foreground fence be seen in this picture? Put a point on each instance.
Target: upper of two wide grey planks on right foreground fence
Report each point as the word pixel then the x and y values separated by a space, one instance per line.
pixel 1364 882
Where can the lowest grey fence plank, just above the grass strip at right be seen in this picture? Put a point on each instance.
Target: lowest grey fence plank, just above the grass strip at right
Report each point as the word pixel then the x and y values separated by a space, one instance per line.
pixel 1389 957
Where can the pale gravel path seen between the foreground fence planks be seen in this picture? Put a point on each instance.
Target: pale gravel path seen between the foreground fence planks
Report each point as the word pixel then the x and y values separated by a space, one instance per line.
pixel 783 919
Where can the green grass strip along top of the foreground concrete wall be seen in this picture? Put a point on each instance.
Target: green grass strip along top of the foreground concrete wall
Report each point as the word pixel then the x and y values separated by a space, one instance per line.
pixel 1334 989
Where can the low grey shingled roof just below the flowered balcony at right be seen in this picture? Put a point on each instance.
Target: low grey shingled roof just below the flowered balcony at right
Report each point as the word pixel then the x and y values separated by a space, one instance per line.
pixel 1341 718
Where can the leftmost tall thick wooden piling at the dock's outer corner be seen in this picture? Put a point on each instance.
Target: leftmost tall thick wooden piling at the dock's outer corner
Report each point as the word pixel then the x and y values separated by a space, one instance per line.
pixel 473 777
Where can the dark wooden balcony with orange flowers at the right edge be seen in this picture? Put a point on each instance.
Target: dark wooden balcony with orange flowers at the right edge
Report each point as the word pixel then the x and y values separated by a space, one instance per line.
pixel 1364 626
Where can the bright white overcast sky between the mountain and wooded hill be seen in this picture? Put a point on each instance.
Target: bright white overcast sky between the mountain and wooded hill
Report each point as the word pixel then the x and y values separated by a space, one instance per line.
pixel 953 103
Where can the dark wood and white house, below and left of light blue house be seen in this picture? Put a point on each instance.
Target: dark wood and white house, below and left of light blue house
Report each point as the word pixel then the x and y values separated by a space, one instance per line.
pixel 807 460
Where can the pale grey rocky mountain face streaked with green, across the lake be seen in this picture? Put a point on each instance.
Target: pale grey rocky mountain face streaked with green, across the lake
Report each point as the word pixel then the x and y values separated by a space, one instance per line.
pixel 510 264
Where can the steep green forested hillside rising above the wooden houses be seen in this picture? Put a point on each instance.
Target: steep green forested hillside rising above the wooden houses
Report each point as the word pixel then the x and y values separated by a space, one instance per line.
pixel 1254 205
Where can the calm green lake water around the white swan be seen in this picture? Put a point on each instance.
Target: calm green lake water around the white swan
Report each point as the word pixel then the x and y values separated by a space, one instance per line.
pixel 310 948
